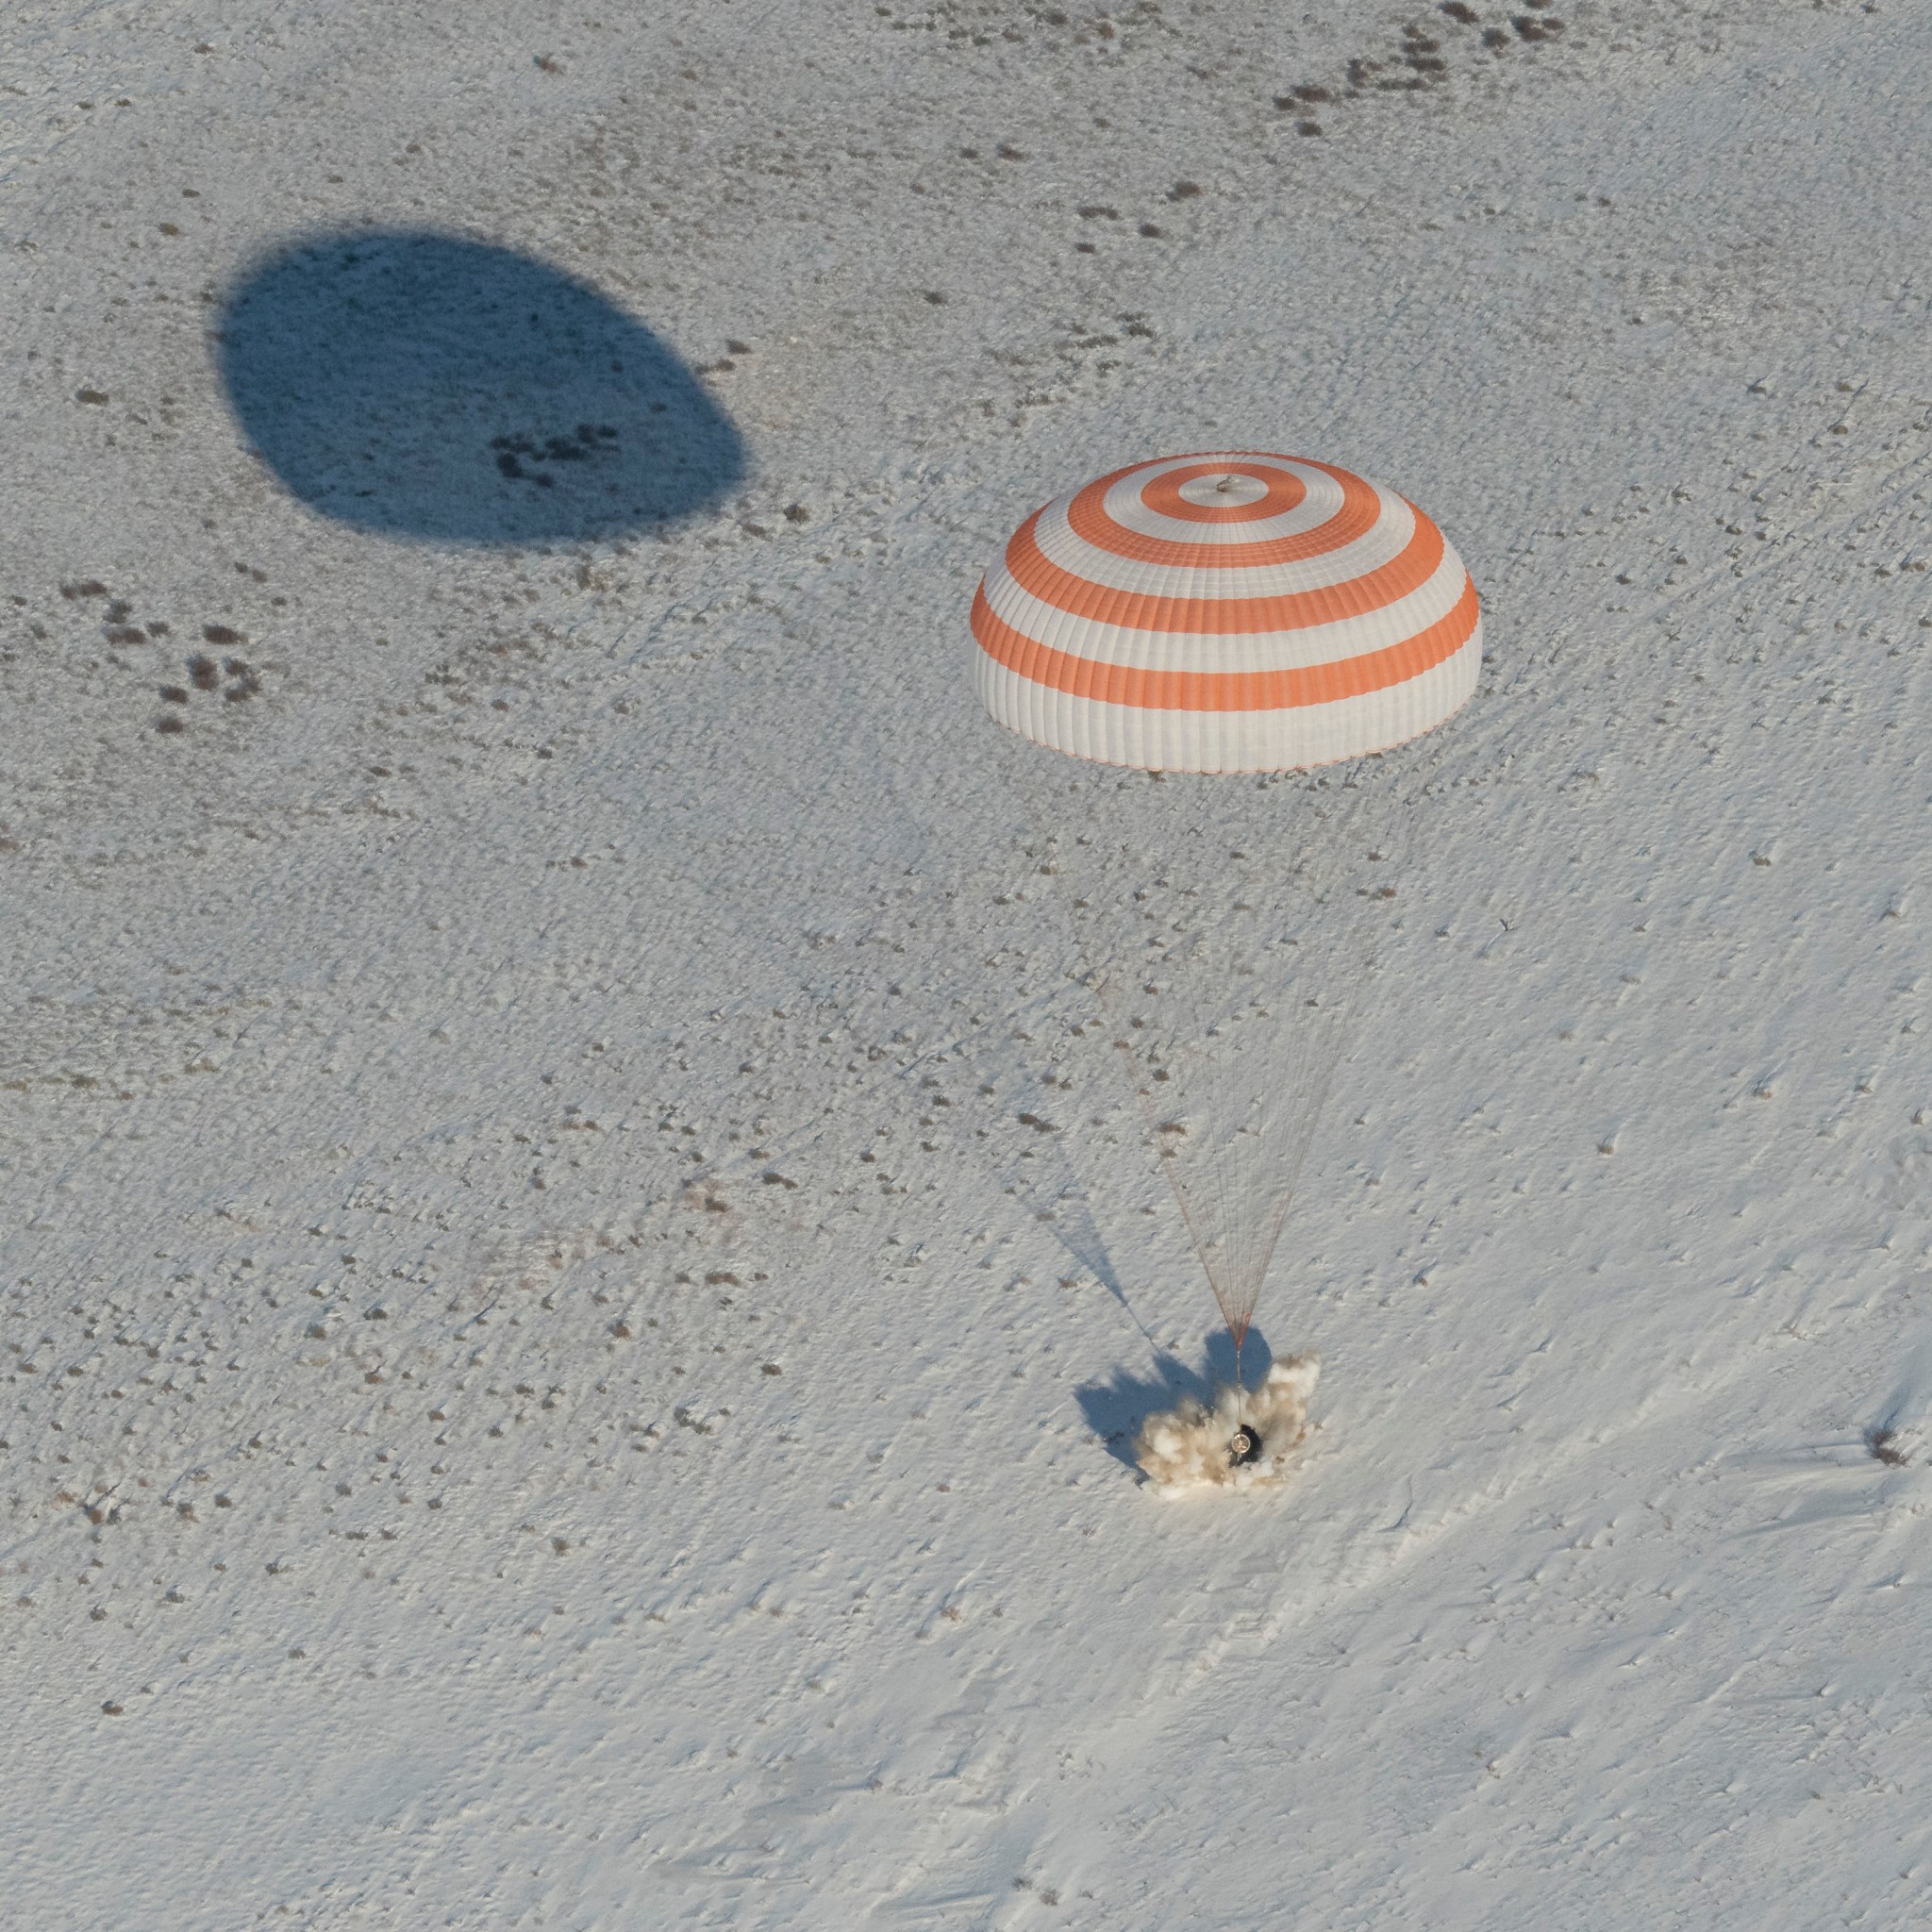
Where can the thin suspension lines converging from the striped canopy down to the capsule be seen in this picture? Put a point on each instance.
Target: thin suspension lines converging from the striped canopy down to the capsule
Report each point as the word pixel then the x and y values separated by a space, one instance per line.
pixel 1253 982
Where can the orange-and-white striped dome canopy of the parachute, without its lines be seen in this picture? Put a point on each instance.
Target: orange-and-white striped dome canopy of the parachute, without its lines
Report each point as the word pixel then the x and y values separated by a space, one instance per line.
pixel 1230 611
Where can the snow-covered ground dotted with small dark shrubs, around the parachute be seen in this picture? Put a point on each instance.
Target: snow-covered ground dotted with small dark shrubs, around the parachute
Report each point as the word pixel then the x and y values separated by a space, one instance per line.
pixel 538 1386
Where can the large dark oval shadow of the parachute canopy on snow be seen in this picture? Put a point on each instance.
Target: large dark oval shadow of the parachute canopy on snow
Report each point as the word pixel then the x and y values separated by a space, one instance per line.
pixel 430 387
